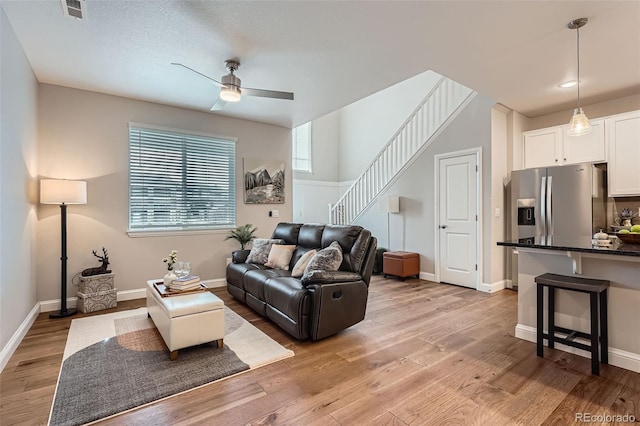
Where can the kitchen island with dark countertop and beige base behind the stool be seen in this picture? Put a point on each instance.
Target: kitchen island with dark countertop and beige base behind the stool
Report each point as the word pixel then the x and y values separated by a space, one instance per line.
pixel 620 264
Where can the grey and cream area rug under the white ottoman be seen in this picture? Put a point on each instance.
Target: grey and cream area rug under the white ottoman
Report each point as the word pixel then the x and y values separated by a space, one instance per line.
pixel 116 362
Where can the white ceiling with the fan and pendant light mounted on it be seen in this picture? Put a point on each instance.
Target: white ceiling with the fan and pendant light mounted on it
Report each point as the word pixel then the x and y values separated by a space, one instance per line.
pixel 332 53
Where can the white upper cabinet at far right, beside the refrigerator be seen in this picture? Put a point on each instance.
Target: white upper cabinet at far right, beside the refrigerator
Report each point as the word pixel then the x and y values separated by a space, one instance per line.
pixel 623 138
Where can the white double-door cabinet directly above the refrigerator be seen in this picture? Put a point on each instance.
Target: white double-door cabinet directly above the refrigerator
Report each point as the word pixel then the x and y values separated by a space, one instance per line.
pixel 553 147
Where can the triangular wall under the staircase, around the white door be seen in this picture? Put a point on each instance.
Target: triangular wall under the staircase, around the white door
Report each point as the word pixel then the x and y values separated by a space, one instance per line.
pixel 414 228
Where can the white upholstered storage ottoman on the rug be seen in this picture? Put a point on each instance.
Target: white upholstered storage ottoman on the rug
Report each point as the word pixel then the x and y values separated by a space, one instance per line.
pixel 186 320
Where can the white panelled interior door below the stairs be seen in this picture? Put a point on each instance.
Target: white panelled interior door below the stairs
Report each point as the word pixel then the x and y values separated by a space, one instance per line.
pixel 457 221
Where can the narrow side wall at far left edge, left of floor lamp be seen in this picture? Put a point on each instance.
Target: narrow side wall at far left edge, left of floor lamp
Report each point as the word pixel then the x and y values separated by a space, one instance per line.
pixel 18 168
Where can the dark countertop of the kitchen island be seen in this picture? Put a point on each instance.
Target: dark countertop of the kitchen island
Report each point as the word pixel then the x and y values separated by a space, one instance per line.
pixel 578 244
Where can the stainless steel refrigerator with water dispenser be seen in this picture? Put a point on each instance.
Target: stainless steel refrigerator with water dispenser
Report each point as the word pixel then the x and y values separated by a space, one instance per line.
pixel 557 204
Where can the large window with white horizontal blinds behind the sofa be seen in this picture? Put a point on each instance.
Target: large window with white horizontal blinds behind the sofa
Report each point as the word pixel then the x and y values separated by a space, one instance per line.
pixel 180 181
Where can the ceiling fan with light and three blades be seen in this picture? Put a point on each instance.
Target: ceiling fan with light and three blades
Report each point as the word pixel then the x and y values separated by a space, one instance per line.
pixel 231 89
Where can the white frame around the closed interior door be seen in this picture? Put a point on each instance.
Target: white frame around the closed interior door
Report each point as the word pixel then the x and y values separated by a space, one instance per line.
pixel 436 205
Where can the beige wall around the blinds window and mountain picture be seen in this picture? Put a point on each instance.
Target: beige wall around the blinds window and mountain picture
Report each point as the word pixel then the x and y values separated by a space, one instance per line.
pixel 84 135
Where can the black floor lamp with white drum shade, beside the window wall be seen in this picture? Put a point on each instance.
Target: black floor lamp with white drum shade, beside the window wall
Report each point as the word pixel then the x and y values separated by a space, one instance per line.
pixel 63 192
